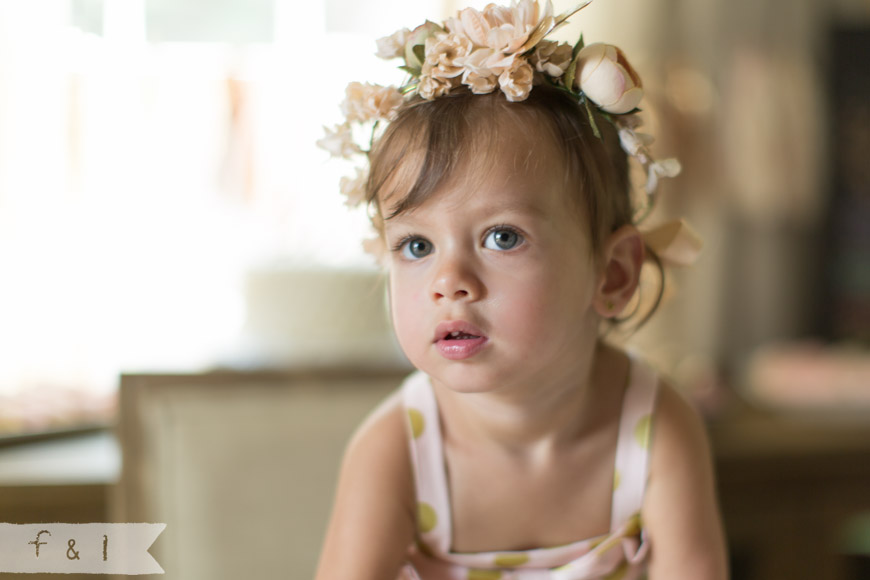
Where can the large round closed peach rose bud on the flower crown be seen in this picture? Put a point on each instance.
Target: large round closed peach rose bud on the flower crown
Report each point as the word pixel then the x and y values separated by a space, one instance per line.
pixel 606 78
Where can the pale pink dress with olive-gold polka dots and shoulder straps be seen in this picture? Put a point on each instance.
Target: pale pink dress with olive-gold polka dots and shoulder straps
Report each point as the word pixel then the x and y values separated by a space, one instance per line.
pixel 620 554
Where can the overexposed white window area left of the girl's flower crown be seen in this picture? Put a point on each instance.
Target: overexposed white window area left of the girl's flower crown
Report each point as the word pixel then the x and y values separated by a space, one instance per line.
pixel 151 152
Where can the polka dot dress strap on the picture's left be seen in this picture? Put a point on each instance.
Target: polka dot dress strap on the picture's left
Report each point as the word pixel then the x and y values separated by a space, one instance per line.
pixel 427 457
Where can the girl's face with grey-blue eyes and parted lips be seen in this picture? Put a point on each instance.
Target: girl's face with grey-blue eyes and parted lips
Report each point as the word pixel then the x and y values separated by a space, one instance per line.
pixel 492 279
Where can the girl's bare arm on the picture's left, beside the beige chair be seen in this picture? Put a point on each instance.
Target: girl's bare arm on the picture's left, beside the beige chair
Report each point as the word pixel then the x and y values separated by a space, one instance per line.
pixel 372 523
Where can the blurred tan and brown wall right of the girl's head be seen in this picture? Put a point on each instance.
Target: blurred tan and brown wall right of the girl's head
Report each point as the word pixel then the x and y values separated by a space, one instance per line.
pixel 739 91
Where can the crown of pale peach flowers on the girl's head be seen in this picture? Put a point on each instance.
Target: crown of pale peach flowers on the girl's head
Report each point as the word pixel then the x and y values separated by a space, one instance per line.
pixel 506 48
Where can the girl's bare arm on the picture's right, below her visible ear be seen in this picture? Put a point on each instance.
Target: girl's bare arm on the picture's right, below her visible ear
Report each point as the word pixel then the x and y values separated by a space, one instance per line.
pixel 681 513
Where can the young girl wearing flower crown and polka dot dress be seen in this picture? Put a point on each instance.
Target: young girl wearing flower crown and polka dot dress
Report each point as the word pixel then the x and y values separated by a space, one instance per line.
pixel 524 447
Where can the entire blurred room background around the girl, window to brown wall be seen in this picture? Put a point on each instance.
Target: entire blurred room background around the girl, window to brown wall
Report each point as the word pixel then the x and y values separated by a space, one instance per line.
pixel 165 215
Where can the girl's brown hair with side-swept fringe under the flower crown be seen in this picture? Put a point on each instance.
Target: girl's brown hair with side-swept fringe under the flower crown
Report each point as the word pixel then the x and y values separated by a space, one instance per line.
pixel 430 140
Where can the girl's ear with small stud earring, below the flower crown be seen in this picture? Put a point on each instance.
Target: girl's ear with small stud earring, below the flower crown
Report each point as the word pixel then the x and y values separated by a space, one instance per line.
pixel 622 258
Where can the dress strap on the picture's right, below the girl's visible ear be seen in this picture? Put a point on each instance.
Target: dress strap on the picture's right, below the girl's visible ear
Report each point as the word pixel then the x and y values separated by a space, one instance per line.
pixel 633 445
